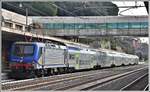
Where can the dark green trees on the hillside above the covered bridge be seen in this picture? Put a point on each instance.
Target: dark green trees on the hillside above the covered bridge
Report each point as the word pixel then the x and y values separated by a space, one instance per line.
pixel 64 8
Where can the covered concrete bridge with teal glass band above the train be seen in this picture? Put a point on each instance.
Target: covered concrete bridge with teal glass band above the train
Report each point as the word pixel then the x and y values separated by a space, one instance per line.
pixel 93 25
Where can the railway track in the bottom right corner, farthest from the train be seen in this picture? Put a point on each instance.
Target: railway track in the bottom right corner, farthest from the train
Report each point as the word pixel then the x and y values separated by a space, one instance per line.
pixel 123 83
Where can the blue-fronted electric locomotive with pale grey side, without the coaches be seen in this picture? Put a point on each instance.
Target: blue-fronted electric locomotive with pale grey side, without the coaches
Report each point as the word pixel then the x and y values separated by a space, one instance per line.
pixel 32 59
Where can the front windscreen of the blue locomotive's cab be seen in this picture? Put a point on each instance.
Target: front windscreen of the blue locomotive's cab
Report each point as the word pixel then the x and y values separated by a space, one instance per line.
pixel 23 50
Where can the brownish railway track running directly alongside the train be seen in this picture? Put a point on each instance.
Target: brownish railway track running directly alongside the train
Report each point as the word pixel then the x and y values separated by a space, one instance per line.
pixel 56 82
